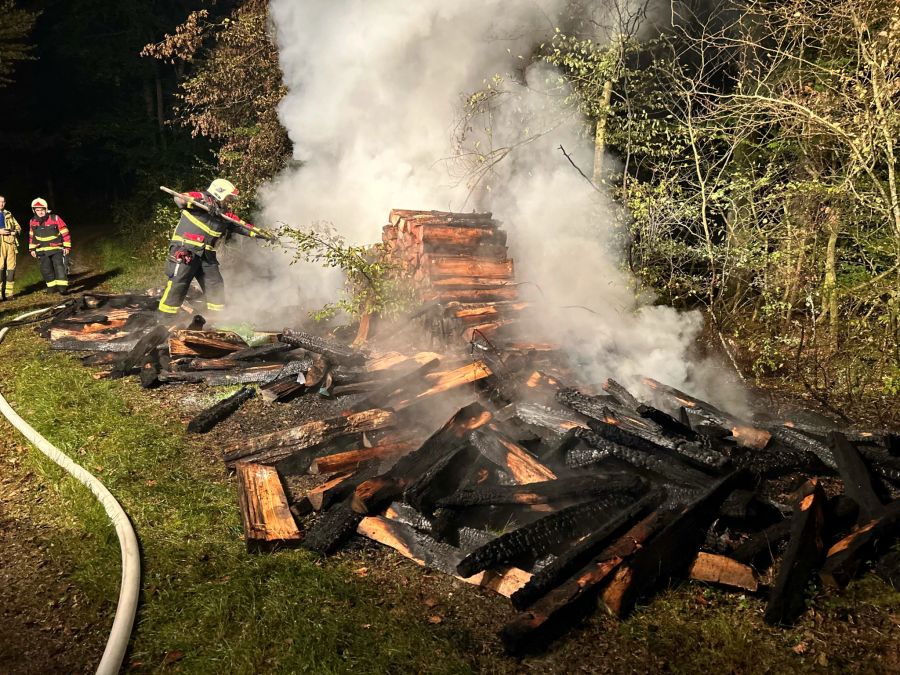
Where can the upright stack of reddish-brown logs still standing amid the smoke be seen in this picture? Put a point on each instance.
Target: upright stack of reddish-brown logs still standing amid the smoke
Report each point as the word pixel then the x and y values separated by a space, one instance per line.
pixel 459 260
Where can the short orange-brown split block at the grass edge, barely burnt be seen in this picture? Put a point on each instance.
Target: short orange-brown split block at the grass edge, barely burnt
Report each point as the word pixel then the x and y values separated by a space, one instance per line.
pixel 267 520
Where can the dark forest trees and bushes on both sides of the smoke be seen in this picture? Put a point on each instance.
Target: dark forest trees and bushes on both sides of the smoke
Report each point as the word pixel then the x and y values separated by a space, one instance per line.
pixel 749 148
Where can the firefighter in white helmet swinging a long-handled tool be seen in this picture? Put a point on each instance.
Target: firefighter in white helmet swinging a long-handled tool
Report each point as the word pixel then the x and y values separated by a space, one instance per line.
pixel 192 249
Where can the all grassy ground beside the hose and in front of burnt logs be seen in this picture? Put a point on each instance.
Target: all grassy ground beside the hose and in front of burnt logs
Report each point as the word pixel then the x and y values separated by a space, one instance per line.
pixel 225 610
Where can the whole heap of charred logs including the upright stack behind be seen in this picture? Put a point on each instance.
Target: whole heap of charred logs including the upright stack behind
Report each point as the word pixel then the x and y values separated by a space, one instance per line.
pixel 499 466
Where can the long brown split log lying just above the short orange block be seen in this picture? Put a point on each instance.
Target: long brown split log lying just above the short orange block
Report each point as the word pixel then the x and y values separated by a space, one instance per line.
pixel 275 446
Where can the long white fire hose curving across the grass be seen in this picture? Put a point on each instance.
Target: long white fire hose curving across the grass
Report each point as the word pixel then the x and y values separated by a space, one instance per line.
pixel 129 588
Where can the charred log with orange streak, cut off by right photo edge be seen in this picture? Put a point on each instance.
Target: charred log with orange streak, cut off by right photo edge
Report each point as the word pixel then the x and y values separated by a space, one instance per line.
pixel 847 557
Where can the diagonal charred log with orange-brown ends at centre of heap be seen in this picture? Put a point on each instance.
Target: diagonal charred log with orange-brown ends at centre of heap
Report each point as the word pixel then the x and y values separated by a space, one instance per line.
pixel 374 494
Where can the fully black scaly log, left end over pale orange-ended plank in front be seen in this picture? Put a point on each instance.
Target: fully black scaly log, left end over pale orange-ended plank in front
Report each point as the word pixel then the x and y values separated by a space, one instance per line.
pixel 541 536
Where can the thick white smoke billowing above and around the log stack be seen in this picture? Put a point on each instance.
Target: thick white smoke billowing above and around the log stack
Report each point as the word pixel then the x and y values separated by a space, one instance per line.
pixel 375 91
